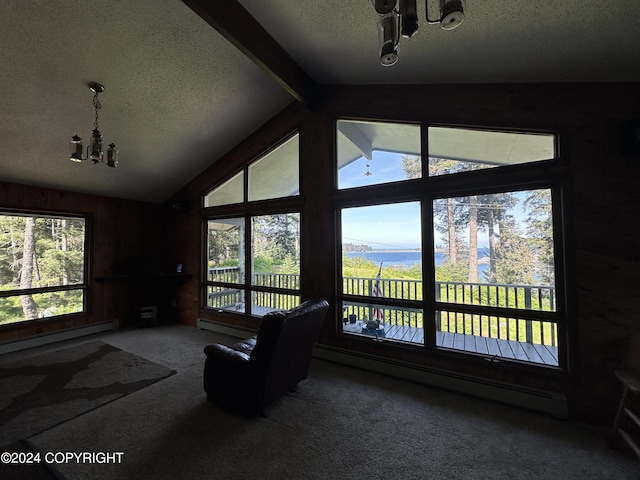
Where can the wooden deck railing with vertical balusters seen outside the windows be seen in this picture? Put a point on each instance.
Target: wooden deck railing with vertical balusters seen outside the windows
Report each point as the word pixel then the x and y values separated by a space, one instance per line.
pixel 523 297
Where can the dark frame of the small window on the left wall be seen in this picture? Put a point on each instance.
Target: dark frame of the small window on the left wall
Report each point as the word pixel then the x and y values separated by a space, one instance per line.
pixel 86 268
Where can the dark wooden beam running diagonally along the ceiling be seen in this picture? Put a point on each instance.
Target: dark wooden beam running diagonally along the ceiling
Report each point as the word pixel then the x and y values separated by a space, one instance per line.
pixel 235 23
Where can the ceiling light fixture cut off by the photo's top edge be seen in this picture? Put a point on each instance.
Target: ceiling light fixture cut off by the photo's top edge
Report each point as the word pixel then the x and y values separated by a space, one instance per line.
pixel 404 20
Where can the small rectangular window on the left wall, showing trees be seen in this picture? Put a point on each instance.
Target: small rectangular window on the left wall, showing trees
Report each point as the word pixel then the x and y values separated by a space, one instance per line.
pixel 42 266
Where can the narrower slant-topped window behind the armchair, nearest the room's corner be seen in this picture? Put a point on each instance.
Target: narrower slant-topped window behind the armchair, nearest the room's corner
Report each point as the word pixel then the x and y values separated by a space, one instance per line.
pixel 253 260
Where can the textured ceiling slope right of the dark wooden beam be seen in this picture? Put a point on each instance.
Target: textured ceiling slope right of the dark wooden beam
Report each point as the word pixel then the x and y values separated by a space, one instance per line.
pixel 336 41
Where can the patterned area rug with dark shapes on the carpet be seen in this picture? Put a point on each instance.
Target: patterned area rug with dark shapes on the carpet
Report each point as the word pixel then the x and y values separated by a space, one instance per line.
pixel 43 391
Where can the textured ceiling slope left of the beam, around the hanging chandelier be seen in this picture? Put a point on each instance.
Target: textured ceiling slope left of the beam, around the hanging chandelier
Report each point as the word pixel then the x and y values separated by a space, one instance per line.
pixel 177 95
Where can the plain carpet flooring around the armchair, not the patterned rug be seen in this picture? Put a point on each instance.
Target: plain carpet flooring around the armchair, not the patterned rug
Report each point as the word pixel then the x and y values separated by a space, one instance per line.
pixel 340 423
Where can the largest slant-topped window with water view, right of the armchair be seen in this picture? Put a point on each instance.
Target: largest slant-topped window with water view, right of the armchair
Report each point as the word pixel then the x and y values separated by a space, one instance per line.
pixel 468 265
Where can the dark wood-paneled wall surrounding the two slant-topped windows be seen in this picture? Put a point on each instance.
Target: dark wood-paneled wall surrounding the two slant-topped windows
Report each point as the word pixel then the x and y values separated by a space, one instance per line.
pixel 602 210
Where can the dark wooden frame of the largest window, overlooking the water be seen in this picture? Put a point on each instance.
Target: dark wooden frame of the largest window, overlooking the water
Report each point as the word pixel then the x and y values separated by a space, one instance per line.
pixel 547 174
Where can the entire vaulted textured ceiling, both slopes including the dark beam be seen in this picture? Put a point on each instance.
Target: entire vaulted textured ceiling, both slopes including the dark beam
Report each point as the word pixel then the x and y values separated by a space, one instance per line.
pixel 185 81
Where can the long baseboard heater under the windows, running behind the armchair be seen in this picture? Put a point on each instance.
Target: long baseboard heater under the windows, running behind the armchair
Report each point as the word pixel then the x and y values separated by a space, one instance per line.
pixel 553 403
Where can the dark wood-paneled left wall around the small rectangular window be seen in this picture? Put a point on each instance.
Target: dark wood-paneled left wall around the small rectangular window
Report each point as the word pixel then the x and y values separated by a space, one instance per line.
pixel 121 232
